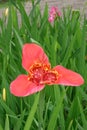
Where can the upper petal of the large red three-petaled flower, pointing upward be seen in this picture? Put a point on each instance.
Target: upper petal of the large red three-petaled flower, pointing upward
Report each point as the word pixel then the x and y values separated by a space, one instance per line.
pixel 33 53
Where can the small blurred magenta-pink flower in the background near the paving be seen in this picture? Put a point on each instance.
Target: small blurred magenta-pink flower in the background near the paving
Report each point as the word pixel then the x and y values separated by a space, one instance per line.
pixel 54 12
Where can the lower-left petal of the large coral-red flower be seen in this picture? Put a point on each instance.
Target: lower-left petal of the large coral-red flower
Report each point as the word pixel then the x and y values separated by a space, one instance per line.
pixel 21 86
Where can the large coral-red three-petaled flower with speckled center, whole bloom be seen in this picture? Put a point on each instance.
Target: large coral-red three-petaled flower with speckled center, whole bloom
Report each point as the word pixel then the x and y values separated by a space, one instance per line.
pixel 36 63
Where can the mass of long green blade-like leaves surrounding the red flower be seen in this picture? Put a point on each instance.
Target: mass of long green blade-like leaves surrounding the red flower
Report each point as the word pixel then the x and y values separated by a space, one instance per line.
pixel 65 43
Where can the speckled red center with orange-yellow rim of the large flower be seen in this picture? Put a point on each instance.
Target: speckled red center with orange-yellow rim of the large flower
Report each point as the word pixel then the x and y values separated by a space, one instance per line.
pixel 42 74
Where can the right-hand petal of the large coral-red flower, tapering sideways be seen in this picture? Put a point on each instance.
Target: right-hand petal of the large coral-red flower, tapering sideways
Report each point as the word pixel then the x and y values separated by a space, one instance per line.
pixel 68 77
